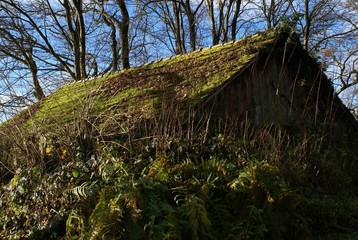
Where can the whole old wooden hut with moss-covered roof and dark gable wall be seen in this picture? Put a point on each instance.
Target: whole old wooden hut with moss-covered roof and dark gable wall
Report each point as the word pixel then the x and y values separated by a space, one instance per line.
pixel 267 78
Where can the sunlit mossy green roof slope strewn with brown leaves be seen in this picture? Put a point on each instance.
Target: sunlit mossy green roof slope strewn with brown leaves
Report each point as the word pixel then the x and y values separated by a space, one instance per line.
pixel 138 92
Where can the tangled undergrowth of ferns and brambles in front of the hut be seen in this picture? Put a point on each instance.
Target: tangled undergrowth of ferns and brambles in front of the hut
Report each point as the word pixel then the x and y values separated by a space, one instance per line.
pixel 262 185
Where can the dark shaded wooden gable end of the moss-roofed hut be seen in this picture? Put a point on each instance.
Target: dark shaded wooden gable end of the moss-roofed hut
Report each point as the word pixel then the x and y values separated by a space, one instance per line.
pixel 282 84
